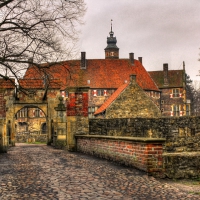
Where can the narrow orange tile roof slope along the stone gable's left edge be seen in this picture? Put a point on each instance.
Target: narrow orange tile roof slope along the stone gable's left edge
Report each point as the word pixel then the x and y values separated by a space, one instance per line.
pixel 114 96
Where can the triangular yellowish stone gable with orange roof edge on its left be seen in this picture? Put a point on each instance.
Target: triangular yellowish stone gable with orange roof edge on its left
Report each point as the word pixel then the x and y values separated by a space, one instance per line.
pixel 130 102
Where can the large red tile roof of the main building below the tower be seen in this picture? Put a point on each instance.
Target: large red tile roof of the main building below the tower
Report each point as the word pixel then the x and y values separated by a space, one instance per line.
pixel 99 73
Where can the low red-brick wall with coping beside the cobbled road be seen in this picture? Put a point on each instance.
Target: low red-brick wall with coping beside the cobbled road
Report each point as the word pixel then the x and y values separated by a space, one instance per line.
pixel 142 153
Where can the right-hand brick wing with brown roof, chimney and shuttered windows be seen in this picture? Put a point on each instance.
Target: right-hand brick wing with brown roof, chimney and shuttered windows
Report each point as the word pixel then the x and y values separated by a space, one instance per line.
pixel 172 84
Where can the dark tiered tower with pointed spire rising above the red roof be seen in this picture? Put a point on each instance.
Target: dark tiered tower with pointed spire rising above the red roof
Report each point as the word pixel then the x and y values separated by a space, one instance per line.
pixel 111 51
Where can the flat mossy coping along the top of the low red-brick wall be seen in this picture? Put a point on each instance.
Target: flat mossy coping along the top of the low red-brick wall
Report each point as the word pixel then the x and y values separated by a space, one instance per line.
pixel 134 139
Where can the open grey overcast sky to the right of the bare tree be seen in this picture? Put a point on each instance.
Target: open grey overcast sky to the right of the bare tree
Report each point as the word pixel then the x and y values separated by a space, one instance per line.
pixel 160 31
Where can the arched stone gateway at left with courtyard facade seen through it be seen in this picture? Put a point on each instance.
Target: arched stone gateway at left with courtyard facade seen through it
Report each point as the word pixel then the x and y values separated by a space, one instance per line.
pixel 27 122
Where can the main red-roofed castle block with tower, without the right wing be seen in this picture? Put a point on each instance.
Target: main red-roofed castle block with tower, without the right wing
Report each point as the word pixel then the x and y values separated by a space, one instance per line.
pixel 101 76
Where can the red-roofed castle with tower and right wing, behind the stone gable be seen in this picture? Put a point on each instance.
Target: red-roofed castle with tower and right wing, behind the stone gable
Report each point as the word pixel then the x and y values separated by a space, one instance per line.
pixel 100 78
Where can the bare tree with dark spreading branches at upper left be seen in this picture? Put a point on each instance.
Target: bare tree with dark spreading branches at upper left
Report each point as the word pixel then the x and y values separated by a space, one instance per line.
pixel 43 30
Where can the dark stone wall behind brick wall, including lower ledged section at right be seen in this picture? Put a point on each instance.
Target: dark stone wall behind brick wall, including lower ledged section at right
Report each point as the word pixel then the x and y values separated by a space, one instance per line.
pixel 181 157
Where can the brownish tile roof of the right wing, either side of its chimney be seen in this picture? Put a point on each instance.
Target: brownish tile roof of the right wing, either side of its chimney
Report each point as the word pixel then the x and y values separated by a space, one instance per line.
pixel 175 78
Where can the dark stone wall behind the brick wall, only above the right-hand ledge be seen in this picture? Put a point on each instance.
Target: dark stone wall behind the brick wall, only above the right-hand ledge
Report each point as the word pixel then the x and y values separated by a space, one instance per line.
pixel 182 134
